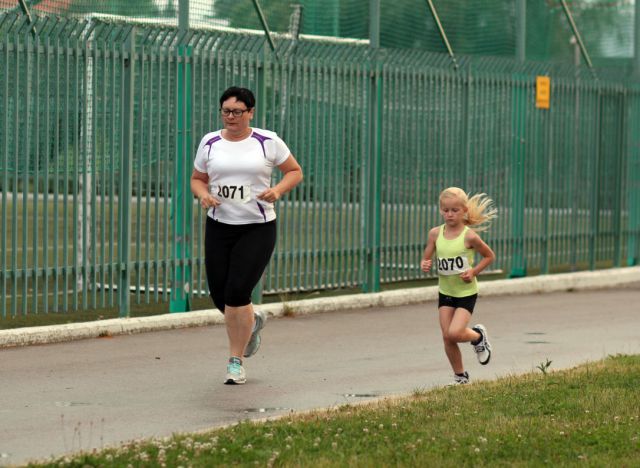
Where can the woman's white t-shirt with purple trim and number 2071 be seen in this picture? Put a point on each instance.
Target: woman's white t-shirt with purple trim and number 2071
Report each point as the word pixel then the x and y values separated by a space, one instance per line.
pixel 238 172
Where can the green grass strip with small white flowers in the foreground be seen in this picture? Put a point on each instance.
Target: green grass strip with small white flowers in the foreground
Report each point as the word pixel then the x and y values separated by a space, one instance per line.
pixel 585 416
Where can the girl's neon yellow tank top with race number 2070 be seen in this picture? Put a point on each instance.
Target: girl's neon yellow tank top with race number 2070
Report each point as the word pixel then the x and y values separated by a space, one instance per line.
pixel 453 258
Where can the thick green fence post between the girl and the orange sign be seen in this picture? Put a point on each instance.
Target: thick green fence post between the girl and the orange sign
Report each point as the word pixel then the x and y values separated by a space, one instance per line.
pixel 517 175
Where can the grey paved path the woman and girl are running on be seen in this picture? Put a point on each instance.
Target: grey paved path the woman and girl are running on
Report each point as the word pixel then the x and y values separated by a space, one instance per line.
pixel 91 393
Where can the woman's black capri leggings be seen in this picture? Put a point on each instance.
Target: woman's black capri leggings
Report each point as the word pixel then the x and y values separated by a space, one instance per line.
pixel 235 257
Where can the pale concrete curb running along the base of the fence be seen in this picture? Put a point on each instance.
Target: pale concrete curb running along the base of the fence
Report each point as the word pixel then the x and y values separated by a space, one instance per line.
pixel 530 285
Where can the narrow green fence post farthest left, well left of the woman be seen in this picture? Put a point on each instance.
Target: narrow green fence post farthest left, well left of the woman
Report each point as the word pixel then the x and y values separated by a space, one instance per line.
pixel 126 166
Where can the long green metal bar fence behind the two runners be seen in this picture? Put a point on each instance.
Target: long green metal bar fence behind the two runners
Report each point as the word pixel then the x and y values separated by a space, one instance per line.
pixel 99 123
